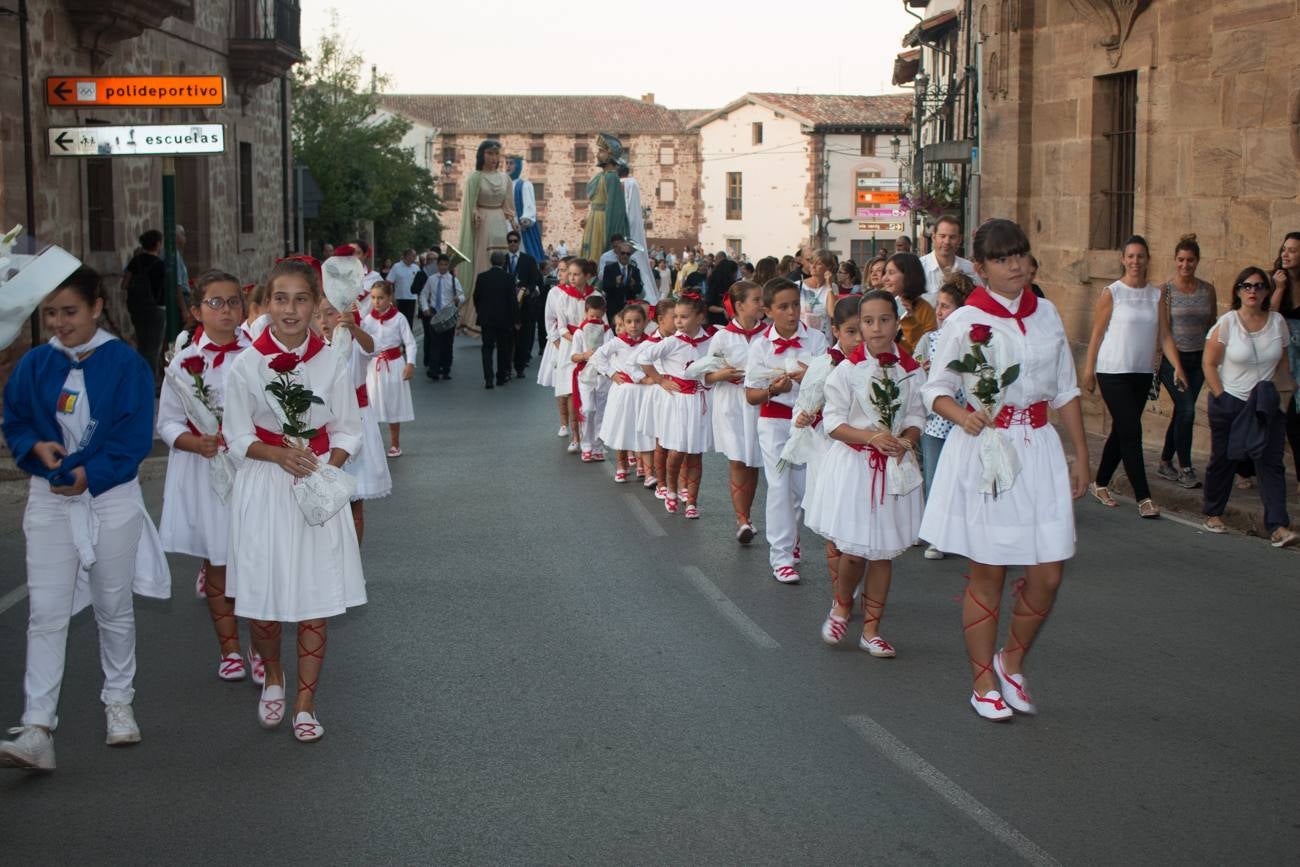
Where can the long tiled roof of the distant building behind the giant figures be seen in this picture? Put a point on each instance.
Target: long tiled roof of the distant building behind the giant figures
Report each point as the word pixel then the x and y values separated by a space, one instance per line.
pixel 508 114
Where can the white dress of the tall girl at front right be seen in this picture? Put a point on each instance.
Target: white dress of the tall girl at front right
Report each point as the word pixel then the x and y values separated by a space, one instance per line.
pixel 1033 522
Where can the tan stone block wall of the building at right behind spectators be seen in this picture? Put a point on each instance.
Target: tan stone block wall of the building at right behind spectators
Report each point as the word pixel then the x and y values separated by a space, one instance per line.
pixel 1219 106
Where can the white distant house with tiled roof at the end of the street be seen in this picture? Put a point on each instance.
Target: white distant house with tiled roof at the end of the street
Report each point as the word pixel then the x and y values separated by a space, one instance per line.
pixel 779 171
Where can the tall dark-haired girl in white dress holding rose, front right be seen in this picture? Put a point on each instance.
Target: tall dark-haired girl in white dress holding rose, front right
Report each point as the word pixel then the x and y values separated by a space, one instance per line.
pixel 1029 522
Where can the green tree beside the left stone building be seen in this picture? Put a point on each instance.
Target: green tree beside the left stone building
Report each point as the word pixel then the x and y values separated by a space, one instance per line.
pixel 356 155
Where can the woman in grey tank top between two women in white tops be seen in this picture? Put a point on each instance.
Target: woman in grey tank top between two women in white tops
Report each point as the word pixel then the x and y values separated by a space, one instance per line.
pixel 1191 304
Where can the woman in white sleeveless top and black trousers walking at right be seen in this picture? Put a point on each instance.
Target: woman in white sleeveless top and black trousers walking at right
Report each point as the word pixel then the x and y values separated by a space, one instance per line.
pixel 1129 327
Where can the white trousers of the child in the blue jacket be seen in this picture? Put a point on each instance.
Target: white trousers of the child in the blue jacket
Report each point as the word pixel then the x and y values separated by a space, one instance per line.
pixel 53 569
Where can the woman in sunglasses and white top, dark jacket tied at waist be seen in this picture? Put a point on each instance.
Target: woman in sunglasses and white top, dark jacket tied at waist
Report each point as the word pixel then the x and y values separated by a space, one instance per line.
pixel 1245 353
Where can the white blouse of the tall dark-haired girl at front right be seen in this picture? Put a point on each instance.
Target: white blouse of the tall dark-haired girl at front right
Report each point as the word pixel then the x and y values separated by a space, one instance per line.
pixel 1043 353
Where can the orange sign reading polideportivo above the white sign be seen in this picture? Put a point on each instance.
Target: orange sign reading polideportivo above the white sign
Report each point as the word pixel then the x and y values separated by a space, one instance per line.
pixel 136 92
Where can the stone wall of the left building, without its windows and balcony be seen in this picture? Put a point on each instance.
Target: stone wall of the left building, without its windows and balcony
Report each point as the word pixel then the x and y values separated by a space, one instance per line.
pixel 207 188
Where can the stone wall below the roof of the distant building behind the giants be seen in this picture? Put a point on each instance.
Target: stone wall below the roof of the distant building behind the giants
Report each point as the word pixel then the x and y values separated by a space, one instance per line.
pixel 674 224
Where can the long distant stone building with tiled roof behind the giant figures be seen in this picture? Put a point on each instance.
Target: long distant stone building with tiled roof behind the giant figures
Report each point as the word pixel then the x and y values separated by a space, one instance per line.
pixel 557 137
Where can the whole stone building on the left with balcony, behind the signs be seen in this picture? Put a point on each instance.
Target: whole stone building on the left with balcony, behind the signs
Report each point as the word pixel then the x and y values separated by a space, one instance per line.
pixel 235 206
